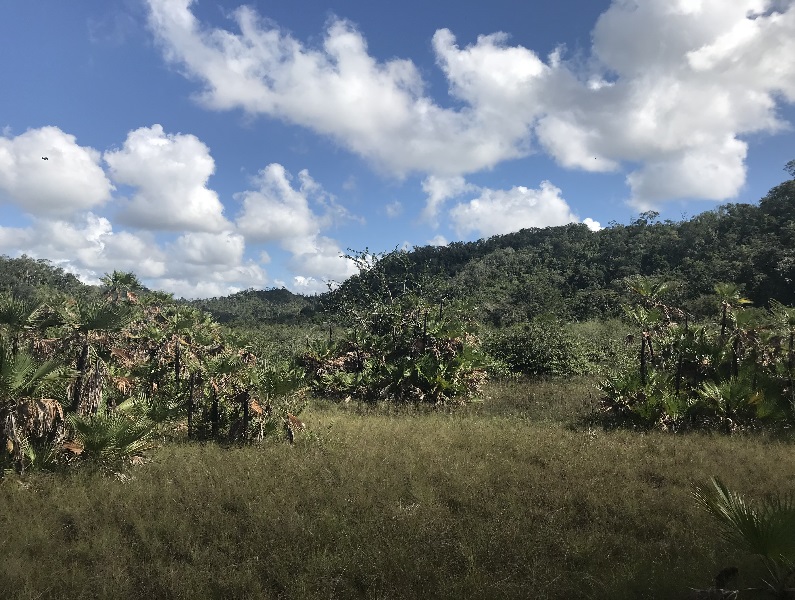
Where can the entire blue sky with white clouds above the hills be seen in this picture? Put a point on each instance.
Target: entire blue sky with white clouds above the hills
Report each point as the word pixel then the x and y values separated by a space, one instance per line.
pixel 211 146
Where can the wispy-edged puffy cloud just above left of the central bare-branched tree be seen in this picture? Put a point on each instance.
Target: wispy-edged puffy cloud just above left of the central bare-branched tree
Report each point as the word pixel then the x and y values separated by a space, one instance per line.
pixel 294 217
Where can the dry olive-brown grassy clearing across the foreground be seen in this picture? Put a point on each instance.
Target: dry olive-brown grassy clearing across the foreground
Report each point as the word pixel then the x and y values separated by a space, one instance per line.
pixel 501 500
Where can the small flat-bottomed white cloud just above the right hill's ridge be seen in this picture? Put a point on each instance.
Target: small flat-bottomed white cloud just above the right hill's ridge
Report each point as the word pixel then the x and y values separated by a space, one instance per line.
pixel 497 212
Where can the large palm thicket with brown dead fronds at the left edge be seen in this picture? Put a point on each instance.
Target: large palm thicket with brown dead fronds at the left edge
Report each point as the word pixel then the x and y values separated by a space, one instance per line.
pixel 94 380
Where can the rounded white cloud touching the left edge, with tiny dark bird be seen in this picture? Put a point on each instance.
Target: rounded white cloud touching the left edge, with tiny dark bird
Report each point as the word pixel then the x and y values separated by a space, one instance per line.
pixel 71 178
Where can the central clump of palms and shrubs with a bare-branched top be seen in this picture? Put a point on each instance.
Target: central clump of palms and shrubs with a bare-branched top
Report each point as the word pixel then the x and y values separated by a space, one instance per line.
pixel 396 343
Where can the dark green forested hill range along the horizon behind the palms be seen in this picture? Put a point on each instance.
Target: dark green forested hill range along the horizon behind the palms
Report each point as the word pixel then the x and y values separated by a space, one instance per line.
pixel 568 271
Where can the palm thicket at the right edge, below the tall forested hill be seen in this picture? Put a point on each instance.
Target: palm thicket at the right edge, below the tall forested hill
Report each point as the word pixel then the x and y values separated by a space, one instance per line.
pixel 727 374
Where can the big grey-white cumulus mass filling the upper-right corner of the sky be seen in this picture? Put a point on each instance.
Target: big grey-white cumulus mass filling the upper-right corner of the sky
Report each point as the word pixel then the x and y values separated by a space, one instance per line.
pixel 686 80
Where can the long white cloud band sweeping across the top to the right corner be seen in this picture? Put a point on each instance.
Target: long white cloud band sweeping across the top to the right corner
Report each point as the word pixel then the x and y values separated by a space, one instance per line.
pixel 668 91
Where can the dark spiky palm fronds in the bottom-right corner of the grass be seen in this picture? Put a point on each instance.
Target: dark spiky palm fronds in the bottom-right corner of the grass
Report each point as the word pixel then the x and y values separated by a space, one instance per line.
pixel 765 530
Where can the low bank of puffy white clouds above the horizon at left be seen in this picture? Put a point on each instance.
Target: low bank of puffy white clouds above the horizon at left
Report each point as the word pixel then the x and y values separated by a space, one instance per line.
pixel 175 234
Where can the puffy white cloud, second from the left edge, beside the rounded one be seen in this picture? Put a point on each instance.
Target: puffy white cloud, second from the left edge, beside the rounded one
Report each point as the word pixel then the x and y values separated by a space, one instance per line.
pixel 170 172
